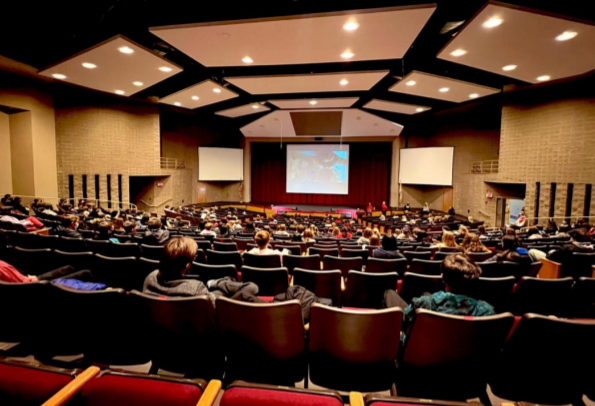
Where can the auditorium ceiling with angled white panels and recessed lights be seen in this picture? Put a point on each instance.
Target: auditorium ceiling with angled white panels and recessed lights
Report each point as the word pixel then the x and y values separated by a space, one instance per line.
pixel 373 66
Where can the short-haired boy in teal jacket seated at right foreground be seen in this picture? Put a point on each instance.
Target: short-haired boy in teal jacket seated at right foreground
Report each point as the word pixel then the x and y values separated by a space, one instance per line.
pixel 459 274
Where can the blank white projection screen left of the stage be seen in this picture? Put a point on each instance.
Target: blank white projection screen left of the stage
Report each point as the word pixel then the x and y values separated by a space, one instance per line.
pixel 220 164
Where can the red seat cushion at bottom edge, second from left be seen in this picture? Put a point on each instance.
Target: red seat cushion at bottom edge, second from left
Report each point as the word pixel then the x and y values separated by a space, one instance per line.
pixel 115 390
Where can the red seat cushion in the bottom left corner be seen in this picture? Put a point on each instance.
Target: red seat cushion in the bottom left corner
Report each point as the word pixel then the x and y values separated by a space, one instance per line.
pixel 29 386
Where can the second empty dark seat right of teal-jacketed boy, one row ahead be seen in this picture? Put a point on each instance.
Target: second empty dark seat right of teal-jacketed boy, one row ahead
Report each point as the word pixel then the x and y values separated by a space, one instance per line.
pixel 542 296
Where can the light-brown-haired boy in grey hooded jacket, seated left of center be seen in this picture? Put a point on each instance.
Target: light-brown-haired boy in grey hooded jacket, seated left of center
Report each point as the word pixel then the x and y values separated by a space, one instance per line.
pixel 177 258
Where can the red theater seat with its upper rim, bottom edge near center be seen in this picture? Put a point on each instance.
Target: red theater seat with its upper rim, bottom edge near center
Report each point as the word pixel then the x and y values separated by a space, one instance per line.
pixel 248 394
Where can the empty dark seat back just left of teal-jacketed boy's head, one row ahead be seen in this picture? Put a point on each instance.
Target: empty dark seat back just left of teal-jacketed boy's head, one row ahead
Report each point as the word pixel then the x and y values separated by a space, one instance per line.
pixel 366 290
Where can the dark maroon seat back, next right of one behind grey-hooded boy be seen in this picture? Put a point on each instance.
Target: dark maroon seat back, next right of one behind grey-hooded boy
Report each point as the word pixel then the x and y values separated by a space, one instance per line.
pixel 264 343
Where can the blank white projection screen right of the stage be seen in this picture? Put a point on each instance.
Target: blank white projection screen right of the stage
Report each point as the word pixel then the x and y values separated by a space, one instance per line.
pixel 426 166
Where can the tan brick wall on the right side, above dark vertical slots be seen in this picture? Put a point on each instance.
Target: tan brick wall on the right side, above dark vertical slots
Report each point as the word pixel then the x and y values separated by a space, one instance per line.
pixel 548 133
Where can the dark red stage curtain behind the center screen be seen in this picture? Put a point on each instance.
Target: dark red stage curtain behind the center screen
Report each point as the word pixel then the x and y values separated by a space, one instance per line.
pixel 369 177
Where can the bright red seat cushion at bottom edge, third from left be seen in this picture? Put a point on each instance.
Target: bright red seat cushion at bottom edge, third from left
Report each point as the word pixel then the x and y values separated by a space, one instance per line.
pixel 270 397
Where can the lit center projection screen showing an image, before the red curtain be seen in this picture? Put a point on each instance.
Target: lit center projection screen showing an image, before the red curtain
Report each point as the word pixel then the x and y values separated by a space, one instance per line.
pixel 318 169
